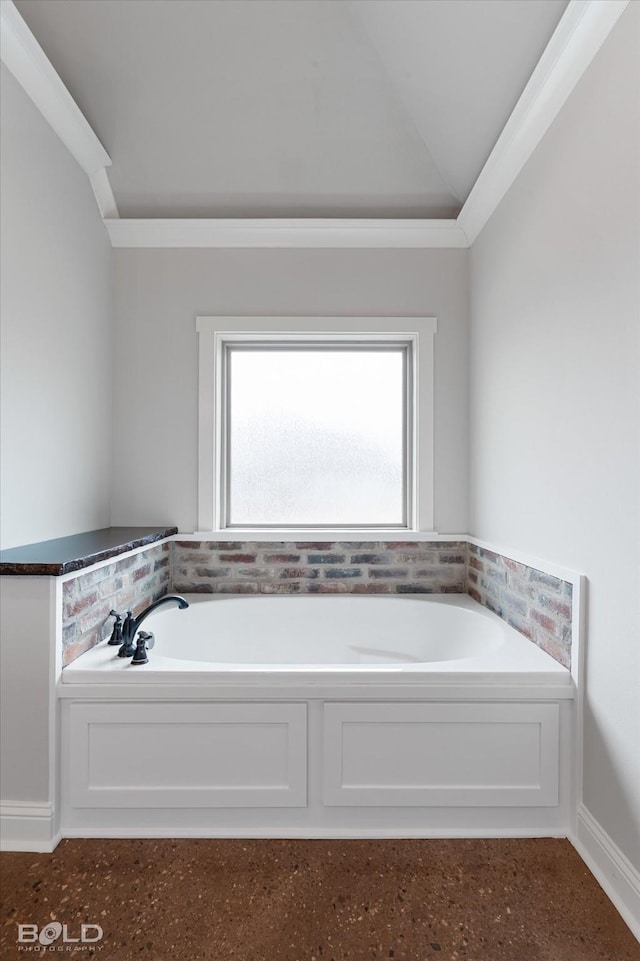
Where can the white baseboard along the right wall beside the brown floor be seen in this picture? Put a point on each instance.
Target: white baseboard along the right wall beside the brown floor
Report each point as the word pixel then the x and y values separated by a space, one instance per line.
pixel 613 871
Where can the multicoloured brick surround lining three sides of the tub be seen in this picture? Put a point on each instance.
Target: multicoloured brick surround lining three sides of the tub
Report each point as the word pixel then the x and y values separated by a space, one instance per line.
pixel 534 602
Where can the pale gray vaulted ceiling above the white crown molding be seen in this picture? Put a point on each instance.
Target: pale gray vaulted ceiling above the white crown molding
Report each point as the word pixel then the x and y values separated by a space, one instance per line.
pixel 294 108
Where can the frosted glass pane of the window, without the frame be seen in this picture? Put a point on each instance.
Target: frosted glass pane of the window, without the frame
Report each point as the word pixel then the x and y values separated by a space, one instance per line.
pixel 316 436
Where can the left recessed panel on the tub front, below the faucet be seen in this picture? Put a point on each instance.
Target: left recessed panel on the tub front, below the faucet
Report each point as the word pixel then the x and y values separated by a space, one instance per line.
pixel 188 755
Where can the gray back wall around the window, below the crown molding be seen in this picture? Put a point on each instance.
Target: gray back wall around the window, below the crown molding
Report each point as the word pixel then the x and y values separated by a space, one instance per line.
pixel 160 292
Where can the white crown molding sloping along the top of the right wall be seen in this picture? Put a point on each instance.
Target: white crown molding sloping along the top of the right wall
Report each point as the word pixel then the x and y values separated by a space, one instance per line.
pixel 583 29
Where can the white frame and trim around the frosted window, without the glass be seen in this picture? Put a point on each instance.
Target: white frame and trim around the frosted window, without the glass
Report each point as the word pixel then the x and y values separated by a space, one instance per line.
pixel 216 333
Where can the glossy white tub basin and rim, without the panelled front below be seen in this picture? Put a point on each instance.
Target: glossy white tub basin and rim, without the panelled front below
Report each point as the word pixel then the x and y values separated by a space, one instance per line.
pixel 233 635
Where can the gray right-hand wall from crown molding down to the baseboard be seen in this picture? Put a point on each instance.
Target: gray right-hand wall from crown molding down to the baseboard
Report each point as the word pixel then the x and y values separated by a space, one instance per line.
pixel 555 429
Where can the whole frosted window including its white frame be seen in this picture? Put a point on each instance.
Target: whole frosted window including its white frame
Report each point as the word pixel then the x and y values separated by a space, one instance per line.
pixel 314 423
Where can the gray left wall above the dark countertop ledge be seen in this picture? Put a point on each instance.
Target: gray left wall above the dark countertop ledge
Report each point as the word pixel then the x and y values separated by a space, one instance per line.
pixel 56 338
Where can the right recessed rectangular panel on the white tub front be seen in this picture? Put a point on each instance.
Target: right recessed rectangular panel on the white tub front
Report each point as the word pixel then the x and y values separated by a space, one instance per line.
pixel 441 754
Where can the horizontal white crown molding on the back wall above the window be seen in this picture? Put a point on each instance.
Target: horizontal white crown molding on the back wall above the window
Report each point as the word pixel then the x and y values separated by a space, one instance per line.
pixel 304 232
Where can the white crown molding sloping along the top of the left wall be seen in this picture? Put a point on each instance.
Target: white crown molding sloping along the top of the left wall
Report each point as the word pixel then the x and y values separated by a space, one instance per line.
pixel 27 61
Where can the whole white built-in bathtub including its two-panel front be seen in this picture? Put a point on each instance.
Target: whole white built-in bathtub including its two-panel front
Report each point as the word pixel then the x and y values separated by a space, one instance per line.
pixel 318 716
